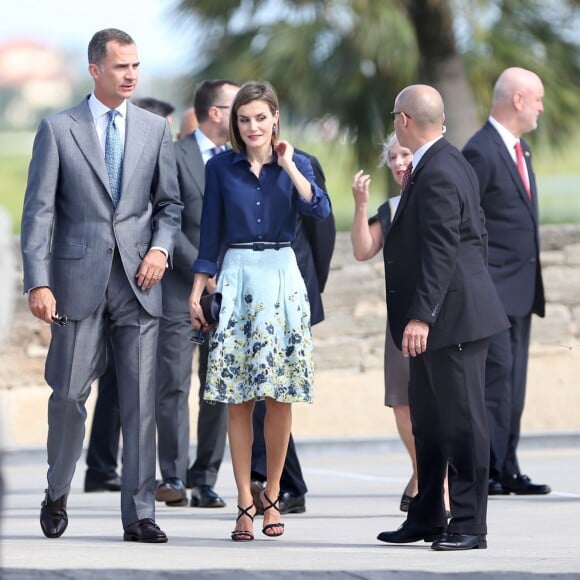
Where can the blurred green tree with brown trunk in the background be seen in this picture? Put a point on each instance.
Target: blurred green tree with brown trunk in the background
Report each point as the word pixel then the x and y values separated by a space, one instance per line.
pixel 349 58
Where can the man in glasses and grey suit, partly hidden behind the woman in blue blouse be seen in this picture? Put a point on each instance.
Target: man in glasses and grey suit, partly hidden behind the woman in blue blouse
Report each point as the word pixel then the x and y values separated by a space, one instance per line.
pixel 212 103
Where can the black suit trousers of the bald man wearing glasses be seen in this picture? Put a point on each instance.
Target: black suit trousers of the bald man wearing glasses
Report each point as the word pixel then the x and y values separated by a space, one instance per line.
pixel 446 399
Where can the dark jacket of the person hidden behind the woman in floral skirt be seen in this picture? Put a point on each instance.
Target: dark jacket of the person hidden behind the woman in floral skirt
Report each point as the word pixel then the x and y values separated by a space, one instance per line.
pixel 313 246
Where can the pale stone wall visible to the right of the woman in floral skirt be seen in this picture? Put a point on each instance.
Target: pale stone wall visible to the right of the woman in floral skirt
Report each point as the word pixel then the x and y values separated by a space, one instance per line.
pixel 352 335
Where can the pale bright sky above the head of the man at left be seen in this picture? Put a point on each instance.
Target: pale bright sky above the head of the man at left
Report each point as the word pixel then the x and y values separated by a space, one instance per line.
pixel 162 40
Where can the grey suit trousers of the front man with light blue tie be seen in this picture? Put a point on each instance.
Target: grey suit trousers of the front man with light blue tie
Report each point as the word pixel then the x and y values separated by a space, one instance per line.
pixel 76 358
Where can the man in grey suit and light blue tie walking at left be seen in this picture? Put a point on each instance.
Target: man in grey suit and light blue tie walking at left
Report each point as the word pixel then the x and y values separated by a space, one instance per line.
pixel 96 240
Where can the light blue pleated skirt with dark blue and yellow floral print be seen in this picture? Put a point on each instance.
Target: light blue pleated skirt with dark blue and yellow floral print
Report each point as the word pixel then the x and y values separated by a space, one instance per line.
pixel 262 344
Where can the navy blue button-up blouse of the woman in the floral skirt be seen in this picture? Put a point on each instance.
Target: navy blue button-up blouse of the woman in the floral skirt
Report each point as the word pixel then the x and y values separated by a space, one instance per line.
pixel 239 207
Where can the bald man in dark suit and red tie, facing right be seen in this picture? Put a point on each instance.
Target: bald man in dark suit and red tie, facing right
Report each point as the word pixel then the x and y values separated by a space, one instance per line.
pixel 503 163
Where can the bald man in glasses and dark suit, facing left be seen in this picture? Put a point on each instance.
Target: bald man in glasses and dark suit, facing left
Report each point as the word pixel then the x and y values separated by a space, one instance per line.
pixel 443 307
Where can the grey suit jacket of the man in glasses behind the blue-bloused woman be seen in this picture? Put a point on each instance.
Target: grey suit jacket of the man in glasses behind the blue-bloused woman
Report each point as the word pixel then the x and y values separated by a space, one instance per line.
pixel 191 180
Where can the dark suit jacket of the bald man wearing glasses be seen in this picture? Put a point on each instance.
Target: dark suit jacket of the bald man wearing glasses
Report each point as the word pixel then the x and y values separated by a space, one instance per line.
pixel 435 255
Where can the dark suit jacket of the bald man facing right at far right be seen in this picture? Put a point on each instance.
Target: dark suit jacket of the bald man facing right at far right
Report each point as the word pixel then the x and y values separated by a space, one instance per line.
pixel 511 221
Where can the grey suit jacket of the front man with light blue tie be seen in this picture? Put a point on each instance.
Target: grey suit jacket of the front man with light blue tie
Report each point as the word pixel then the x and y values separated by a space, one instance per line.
pixel 70 228
